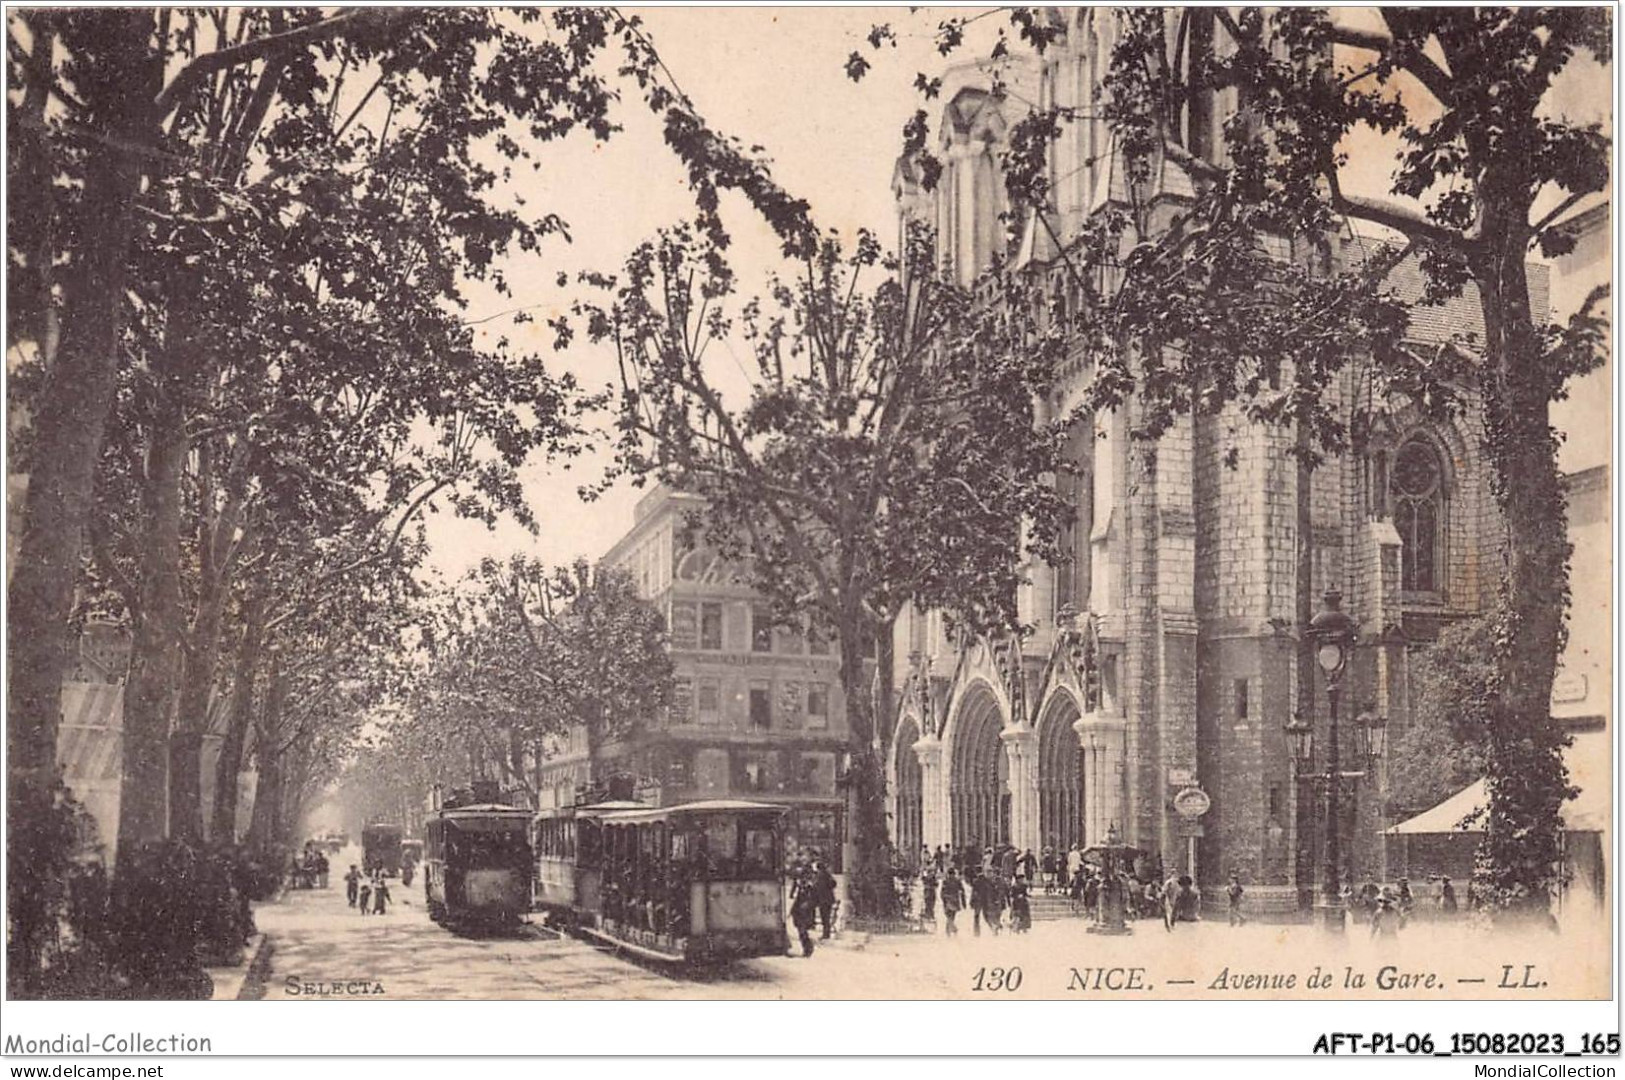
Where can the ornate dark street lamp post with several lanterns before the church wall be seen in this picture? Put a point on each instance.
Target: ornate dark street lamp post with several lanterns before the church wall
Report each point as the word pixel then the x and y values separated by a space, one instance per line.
pixel 1333 636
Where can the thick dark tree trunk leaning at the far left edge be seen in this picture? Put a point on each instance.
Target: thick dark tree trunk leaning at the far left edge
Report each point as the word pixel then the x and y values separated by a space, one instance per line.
pixel 66 444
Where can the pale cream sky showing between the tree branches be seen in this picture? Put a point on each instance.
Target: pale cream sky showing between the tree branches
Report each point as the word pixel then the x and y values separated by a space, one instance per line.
pixel 771 77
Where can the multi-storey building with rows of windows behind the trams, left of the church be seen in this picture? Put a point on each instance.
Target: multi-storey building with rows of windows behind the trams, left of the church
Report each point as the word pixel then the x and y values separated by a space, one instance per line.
pixel 758 709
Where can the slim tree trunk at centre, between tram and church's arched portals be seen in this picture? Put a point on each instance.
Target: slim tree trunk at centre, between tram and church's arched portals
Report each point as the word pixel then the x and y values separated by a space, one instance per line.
pixel 870 876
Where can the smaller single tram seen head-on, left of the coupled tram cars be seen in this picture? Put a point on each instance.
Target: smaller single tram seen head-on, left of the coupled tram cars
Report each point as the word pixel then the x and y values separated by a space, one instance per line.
pixel 477 865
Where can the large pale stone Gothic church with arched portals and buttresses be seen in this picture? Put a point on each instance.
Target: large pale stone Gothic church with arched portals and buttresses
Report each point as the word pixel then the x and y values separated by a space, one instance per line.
pixel 1166 655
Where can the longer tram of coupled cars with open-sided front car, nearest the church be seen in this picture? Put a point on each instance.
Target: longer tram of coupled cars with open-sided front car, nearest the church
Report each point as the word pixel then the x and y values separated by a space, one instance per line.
pixel 693 883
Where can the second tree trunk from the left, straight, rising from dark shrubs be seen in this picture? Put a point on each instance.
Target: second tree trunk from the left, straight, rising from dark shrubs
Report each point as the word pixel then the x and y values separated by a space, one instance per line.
pixel 155 654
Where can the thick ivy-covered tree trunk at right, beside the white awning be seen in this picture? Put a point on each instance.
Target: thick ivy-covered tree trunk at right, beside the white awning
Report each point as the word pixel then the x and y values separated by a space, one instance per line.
pixel 1527 777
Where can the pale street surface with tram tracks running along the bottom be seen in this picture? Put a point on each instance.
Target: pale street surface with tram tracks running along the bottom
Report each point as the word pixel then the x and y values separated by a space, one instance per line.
pixel 326 951
